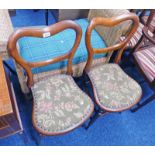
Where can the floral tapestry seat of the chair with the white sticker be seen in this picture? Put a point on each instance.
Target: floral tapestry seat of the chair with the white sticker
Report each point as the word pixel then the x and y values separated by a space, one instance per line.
pixel 59 105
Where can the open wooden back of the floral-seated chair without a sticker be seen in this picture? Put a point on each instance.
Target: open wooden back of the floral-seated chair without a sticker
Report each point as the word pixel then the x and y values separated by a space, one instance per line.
pixel 109 22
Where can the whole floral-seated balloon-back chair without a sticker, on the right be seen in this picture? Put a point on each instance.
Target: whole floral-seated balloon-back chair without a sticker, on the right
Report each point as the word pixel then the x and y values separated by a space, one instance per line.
pixel 113 89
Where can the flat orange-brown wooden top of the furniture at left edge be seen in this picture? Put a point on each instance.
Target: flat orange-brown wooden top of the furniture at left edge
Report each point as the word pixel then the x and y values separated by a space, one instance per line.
pixel 5 102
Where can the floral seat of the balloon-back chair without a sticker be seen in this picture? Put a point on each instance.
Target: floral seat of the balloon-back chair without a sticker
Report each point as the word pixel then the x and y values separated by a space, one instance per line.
pixel 114 90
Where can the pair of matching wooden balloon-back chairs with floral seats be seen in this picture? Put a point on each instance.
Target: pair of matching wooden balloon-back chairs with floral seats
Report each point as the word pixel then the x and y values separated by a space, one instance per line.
pixel 59 105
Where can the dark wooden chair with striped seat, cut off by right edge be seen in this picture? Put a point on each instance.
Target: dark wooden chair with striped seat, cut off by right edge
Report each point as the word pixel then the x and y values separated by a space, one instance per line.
pixel 145 60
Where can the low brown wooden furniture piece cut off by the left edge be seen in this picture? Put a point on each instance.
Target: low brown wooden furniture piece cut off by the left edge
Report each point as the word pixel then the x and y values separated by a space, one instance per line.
pixel 10 122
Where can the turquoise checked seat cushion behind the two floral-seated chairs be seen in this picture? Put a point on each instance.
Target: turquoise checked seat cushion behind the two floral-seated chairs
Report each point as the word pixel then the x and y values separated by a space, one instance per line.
pixel 34 49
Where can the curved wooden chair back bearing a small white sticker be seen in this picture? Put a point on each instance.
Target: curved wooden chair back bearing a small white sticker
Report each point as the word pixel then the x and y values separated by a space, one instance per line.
pixel 43 32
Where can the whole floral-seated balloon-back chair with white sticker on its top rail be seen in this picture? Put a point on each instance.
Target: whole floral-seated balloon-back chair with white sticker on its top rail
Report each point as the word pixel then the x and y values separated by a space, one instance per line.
pixel 59 105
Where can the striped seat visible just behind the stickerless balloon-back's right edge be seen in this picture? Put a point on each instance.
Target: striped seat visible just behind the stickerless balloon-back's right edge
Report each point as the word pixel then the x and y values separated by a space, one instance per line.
pixel 134 40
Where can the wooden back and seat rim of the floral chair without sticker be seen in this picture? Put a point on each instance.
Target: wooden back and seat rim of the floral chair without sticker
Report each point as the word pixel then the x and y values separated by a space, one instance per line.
pixel 118 46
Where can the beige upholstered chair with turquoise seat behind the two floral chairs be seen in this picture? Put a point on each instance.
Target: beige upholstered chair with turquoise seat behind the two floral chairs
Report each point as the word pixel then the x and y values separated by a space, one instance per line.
pixel 35 49
